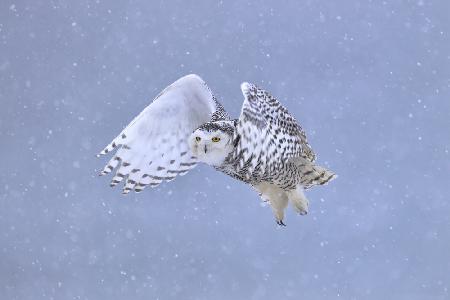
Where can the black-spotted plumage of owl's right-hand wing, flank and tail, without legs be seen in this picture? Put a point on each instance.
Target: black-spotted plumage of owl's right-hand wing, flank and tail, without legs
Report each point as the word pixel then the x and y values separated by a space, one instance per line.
pixel 271 144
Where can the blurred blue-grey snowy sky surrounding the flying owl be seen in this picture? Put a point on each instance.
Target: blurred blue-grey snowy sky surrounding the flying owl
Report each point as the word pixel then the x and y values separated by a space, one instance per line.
pixel 369 81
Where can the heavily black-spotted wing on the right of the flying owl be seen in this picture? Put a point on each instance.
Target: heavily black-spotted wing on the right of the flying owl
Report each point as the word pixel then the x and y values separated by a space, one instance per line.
pixel 269 135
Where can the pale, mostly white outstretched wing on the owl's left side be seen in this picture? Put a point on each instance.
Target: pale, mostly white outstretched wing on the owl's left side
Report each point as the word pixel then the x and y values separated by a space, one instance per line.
pixel 154 146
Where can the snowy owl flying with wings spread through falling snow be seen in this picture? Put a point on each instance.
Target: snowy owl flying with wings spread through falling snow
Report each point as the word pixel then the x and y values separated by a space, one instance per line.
pixel 185 124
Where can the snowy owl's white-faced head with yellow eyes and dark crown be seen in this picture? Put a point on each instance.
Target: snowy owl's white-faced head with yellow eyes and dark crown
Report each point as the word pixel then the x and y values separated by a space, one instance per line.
pixel 212 142
